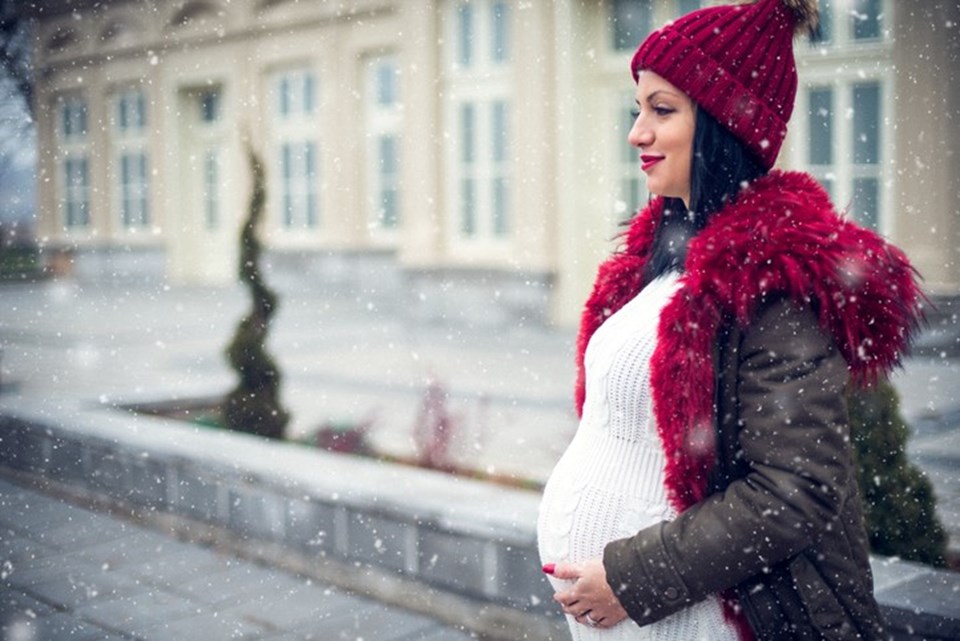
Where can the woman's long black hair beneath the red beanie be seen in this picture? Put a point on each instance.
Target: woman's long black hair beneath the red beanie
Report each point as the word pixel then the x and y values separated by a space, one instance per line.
pixel 721 165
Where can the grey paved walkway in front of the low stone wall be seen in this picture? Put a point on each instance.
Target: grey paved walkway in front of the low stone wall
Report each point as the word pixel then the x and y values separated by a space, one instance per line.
pixel 67 573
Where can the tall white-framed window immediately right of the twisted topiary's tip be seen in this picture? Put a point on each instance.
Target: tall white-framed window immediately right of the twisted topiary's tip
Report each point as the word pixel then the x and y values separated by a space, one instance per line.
pixel 294 99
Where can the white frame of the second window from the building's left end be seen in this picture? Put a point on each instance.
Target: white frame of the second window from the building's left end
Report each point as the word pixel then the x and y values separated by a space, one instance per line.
pixel 129 142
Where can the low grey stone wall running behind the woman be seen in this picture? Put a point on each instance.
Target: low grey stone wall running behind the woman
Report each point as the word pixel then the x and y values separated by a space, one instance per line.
pixel 459 549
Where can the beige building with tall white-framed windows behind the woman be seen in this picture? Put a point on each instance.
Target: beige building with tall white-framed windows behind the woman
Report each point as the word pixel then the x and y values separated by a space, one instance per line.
pixel 460 158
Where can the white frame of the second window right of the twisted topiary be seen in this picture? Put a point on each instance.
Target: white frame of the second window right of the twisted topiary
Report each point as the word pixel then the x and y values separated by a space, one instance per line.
pixel 382 121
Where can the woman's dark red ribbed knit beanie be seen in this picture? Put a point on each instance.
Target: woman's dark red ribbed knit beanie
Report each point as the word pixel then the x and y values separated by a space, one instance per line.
pixel 737 63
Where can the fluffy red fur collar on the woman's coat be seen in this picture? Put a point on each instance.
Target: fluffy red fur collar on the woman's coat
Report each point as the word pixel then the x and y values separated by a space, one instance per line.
pixel 781 236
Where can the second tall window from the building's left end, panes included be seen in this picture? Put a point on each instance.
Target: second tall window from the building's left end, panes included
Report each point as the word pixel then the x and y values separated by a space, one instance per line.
pixel 131 164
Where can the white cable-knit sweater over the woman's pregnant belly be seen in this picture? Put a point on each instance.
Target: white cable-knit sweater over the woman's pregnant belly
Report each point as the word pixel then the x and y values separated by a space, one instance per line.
pixel 609 482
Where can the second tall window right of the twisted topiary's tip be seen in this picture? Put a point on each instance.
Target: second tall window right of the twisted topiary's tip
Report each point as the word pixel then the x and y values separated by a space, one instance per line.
pixel 384 114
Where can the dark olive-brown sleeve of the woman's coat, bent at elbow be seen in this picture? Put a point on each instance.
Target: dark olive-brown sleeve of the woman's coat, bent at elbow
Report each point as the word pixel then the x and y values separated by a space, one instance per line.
pixel 794 440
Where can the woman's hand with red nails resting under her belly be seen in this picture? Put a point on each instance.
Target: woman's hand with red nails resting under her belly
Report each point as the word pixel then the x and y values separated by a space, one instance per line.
pixel 590 599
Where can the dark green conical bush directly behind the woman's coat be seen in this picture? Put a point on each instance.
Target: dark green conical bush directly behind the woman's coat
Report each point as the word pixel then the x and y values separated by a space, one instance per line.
pixel 899 504
